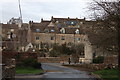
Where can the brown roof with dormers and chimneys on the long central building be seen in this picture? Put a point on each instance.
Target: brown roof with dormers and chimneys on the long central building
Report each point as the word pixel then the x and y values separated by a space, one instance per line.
pixel 62 23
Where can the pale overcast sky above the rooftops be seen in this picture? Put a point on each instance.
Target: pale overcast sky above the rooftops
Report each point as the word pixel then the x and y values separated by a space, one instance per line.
pixel 37 9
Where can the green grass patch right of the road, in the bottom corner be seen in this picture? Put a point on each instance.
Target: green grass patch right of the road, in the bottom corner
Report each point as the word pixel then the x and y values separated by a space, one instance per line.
pixel 108 74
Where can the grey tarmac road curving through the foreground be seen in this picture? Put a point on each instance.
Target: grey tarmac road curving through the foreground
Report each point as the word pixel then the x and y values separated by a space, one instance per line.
pixel 54 71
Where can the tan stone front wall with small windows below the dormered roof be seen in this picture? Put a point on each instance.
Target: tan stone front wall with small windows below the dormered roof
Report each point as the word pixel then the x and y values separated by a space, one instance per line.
pixel 46 38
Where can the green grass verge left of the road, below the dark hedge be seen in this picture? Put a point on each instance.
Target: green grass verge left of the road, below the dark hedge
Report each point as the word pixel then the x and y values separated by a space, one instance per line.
pixel 28 70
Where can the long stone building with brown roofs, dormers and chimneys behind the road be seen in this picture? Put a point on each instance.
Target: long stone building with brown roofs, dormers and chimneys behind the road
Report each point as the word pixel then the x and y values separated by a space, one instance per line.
pixel 55 31
